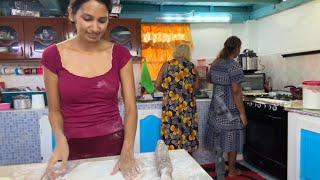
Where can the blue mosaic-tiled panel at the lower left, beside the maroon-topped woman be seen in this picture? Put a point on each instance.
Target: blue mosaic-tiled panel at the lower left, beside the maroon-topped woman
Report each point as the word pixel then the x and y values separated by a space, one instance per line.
pixel 19 137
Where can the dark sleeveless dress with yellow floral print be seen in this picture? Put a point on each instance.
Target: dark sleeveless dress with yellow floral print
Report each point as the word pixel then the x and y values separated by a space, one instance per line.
pixel 179 113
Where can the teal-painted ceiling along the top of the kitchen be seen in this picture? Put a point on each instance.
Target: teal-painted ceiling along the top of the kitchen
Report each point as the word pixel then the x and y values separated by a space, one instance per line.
pixel 237 11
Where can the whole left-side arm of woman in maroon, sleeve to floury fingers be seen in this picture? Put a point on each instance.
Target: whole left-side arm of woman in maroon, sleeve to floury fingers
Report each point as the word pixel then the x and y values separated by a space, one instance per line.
pixel 61 151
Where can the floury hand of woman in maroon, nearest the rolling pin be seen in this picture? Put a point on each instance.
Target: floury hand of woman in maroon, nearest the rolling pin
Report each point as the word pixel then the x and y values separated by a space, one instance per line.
pixel 127 165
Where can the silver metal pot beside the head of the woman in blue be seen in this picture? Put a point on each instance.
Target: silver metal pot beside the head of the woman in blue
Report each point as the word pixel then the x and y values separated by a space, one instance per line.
pixel 248 60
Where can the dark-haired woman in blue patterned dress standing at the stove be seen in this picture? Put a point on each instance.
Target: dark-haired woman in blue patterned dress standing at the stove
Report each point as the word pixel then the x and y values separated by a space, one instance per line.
pixel 227 118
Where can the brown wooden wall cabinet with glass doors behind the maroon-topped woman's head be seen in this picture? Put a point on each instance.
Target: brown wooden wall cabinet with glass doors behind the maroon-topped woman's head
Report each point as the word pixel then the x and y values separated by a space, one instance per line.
pixel 23 38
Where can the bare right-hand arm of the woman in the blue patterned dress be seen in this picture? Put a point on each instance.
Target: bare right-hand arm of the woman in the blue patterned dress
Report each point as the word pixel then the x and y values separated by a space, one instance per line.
pixel 238 100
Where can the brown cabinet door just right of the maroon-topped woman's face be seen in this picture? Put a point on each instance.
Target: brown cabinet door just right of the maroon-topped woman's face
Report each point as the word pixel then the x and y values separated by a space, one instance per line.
pixel 126 32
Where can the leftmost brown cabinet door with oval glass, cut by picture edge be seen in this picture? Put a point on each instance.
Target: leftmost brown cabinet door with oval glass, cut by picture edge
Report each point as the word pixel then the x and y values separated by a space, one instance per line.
pixel 11 39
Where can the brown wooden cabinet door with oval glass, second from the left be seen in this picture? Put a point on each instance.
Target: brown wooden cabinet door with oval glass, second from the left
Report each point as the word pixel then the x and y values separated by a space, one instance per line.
pixel 41 33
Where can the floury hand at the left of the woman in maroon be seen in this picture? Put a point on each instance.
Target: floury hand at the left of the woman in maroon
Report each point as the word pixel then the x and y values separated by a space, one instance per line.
pixel 61 152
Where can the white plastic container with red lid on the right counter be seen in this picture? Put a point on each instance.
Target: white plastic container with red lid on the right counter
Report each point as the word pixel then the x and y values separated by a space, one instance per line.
pixel 311 94
